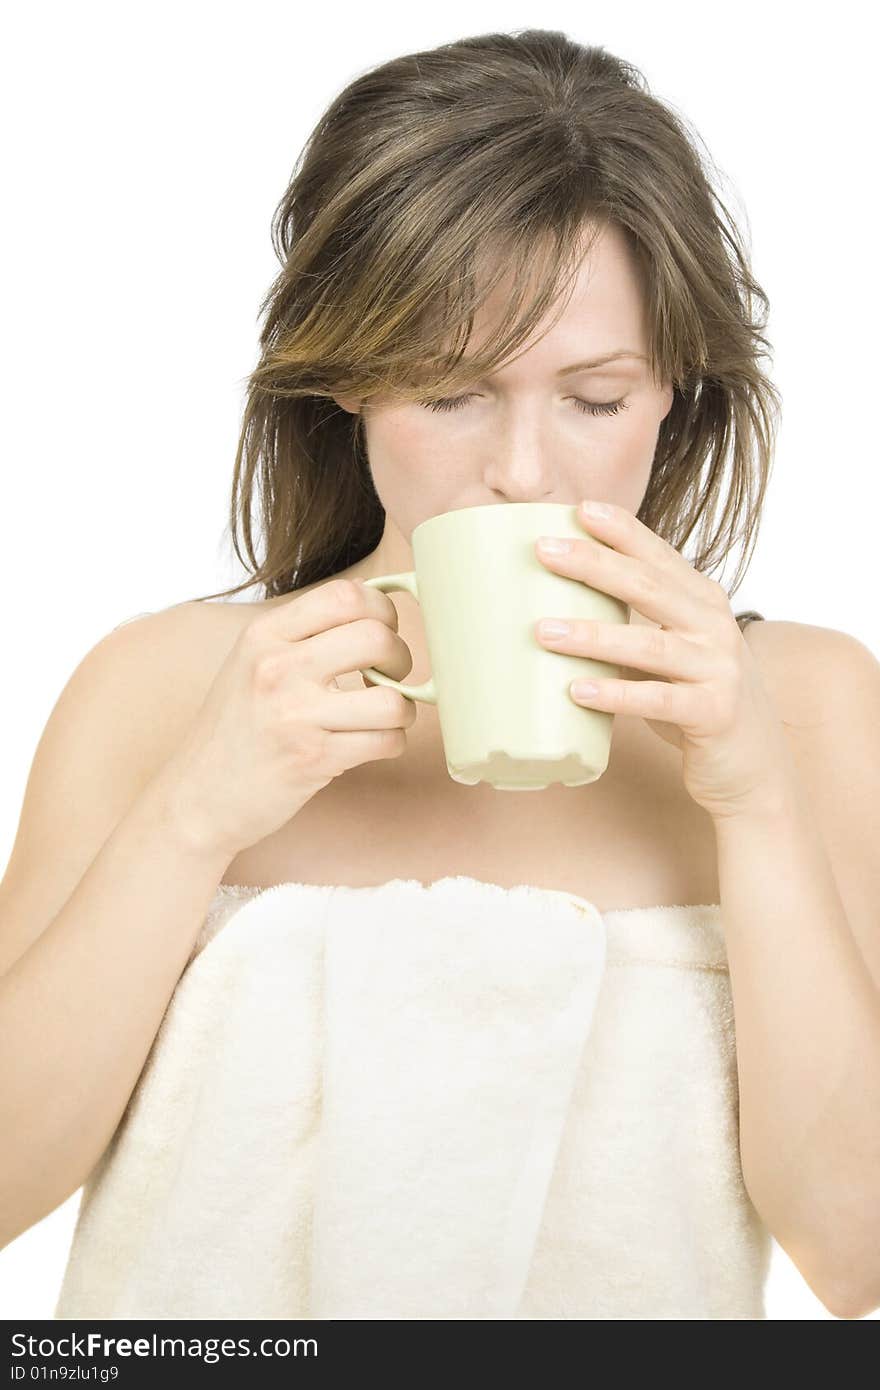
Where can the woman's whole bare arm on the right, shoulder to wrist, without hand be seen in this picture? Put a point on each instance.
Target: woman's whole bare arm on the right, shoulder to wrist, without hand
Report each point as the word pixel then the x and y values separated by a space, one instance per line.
pixel 800 889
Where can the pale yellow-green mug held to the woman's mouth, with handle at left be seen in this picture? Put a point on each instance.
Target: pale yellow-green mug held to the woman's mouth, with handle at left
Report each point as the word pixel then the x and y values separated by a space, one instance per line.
pixel 504 705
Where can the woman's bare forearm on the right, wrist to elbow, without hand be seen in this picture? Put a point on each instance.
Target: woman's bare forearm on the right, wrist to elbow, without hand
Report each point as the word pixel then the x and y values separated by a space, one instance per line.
pixel 808 1043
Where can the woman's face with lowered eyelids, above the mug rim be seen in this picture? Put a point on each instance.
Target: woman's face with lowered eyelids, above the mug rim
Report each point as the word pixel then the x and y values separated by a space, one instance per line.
pixel 521 436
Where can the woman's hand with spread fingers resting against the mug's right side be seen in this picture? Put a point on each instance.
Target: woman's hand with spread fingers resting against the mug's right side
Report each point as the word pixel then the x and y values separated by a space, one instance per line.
pixel 711 701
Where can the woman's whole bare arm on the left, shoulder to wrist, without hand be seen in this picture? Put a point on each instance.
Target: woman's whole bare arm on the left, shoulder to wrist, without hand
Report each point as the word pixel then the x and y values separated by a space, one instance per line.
pixel 105 893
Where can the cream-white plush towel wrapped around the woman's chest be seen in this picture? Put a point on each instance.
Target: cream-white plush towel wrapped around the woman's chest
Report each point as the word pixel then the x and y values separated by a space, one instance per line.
pixel 441 1102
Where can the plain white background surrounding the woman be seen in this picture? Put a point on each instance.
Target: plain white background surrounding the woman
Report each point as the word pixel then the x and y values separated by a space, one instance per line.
pixel 147 148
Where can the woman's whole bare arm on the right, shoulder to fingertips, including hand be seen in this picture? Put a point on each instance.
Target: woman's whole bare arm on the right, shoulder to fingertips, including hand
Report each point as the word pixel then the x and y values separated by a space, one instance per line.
pixel 781 744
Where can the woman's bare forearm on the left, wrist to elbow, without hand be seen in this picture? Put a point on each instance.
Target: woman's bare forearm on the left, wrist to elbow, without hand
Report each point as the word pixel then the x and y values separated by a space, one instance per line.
pixel 81 1008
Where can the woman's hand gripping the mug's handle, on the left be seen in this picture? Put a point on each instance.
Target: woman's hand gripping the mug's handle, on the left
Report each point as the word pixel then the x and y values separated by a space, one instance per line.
pixel 273 730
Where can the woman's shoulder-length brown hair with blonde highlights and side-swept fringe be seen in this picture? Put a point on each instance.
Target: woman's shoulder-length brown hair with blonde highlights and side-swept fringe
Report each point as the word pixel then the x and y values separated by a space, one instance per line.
pixel 494 154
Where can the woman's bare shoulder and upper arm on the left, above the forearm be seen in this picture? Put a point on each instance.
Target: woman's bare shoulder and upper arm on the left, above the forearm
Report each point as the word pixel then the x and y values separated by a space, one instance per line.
pixel 119 717
